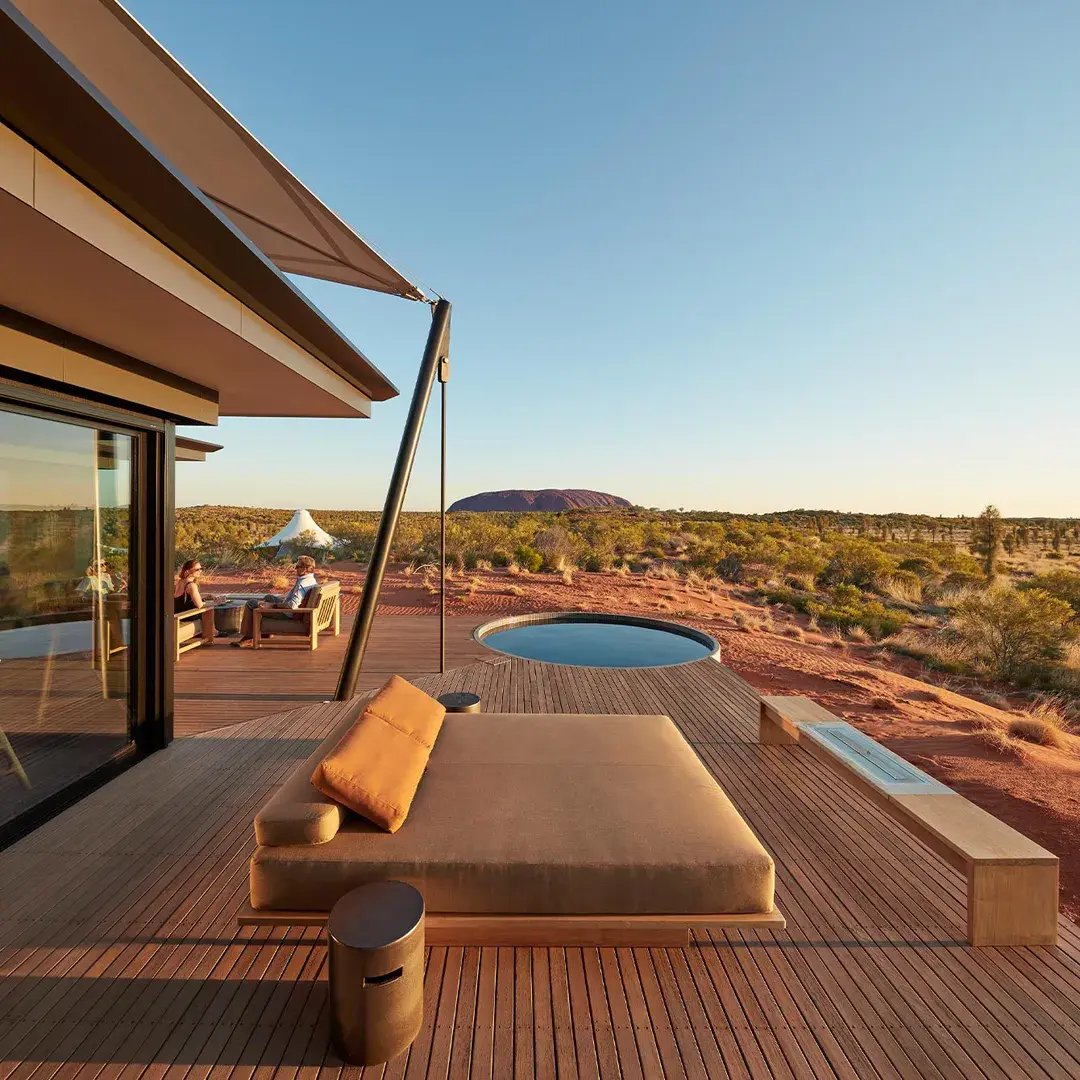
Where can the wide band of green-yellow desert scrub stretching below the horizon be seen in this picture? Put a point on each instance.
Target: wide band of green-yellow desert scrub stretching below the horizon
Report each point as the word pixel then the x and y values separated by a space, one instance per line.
pixel 989 598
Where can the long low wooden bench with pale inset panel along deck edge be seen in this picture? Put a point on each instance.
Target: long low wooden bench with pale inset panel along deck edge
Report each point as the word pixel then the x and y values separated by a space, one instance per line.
pixel 1012 882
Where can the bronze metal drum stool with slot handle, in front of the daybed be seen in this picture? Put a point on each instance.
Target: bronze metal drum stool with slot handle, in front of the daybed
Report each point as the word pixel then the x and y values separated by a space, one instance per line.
pixel 375 936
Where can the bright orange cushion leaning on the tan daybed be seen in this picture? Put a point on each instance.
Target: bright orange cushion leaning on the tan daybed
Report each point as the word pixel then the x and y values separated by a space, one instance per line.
pixel 376 767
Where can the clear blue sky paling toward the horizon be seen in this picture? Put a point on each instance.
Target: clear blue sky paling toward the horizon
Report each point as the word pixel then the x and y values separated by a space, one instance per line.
pixel 715 256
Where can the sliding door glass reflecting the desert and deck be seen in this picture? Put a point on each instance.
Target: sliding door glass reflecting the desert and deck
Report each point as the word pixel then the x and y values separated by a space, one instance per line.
pixel 66 604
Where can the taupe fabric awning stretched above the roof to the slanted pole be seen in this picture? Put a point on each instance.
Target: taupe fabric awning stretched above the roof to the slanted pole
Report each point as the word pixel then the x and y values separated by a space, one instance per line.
pixel 286 221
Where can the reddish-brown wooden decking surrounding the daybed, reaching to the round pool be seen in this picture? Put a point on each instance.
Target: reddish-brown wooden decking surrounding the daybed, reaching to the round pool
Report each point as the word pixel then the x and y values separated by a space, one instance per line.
pixel 121 955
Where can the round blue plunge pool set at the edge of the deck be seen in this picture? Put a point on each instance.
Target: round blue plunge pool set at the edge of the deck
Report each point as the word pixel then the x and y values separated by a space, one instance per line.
pixel 592 640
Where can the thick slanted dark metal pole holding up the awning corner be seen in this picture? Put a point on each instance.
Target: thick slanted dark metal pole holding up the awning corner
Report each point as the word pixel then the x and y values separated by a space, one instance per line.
pixel 438 348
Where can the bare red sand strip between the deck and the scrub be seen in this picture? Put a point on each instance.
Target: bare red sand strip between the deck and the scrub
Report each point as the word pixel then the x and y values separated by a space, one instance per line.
pixel 1034 789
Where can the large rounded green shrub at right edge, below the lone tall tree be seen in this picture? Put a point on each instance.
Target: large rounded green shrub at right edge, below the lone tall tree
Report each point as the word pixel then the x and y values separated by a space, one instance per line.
pixel 1009 631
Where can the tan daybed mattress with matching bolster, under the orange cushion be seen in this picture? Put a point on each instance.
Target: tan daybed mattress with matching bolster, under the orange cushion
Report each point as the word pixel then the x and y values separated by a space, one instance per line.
pixel 534 815
